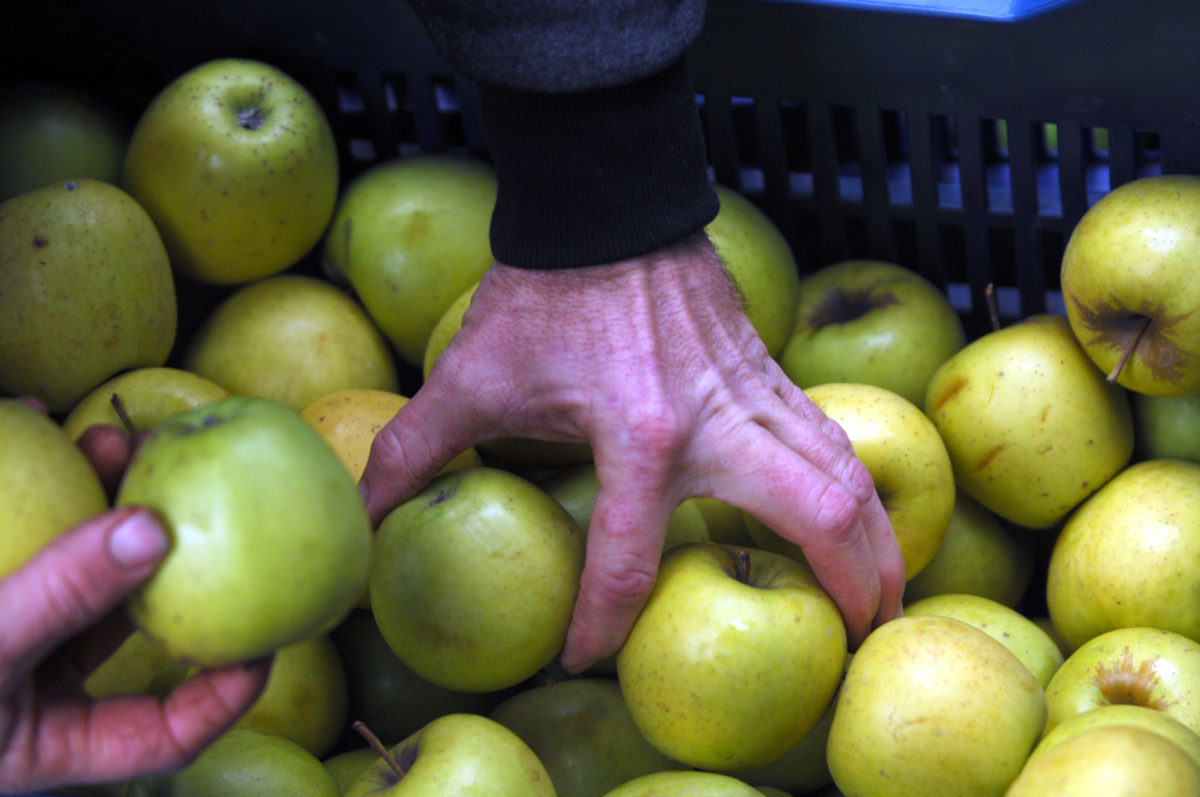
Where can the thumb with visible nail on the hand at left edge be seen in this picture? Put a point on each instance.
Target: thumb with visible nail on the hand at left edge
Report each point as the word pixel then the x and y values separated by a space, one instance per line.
pixel 74 583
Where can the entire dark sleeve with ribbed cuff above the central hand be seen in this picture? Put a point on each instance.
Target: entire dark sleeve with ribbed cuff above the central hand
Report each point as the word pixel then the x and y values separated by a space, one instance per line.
pixel 591 122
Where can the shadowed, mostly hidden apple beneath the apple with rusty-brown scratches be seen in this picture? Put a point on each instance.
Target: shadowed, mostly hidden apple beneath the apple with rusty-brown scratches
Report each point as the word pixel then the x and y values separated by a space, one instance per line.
pixel 981 555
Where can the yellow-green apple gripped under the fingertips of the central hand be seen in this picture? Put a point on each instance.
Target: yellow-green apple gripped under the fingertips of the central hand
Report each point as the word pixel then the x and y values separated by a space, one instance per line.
pixel 735 657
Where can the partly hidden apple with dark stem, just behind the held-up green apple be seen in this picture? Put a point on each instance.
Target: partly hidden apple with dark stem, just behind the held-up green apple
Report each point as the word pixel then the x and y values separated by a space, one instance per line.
pixel 140 399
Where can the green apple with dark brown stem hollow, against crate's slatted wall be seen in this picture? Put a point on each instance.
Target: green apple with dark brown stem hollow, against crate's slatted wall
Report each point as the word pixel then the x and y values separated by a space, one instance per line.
pixel 872 322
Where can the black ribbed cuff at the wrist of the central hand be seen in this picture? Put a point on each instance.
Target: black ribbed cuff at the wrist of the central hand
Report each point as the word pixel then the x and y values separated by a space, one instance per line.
pixel 597 177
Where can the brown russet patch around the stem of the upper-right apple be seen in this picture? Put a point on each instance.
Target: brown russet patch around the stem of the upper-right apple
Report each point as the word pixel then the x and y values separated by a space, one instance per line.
pixel 1144 329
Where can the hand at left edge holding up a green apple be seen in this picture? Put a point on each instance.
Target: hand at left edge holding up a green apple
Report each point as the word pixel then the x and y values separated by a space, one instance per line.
pixel 51 733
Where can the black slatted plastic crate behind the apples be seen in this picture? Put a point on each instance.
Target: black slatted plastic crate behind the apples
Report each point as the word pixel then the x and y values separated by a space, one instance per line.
pixel 961 143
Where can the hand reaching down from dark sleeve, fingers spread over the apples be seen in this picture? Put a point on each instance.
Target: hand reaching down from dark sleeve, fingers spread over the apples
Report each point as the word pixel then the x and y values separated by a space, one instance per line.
pixel 653 363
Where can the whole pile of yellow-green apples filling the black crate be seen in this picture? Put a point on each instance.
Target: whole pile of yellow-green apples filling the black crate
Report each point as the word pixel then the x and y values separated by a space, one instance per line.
pixel 208 281
